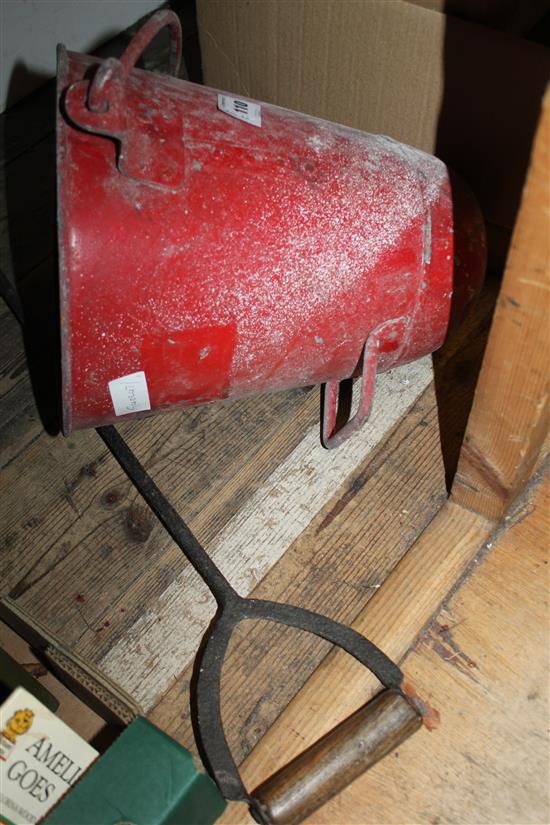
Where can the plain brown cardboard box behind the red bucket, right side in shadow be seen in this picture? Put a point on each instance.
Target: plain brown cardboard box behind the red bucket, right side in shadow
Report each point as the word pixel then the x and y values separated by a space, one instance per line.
pixel 463 91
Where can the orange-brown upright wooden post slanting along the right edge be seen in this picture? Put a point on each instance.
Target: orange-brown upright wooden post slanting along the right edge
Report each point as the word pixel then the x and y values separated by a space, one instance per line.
pixel 509 418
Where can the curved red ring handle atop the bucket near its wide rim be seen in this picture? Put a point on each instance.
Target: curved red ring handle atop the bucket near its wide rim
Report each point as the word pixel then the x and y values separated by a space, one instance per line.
pixel 115 71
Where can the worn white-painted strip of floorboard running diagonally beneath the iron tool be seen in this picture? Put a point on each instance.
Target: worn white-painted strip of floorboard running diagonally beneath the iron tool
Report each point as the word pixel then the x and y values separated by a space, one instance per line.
pixel 153 652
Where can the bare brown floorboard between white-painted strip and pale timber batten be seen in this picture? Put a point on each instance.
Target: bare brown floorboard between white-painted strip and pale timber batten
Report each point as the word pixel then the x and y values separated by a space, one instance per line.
pixel 334 566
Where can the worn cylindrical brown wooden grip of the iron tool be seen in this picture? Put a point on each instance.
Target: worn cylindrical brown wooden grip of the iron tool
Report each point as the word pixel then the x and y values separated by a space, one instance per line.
pixel 325 768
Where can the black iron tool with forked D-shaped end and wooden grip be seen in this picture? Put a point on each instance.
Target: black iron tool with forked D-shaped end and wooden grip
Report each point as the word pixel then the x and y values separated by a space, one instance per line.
pixel 330 764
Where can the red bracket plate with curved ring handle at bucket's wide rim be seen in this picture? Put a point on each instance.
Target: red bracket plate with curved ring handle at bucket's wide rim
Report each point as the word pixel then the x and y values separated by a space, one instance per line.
pixel 104 106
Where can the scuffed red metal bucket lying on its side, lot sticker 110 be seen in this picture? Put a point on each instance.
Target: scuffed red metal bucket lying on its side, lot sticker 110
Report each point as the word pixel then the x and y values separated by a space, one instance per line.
pixel 213 247
